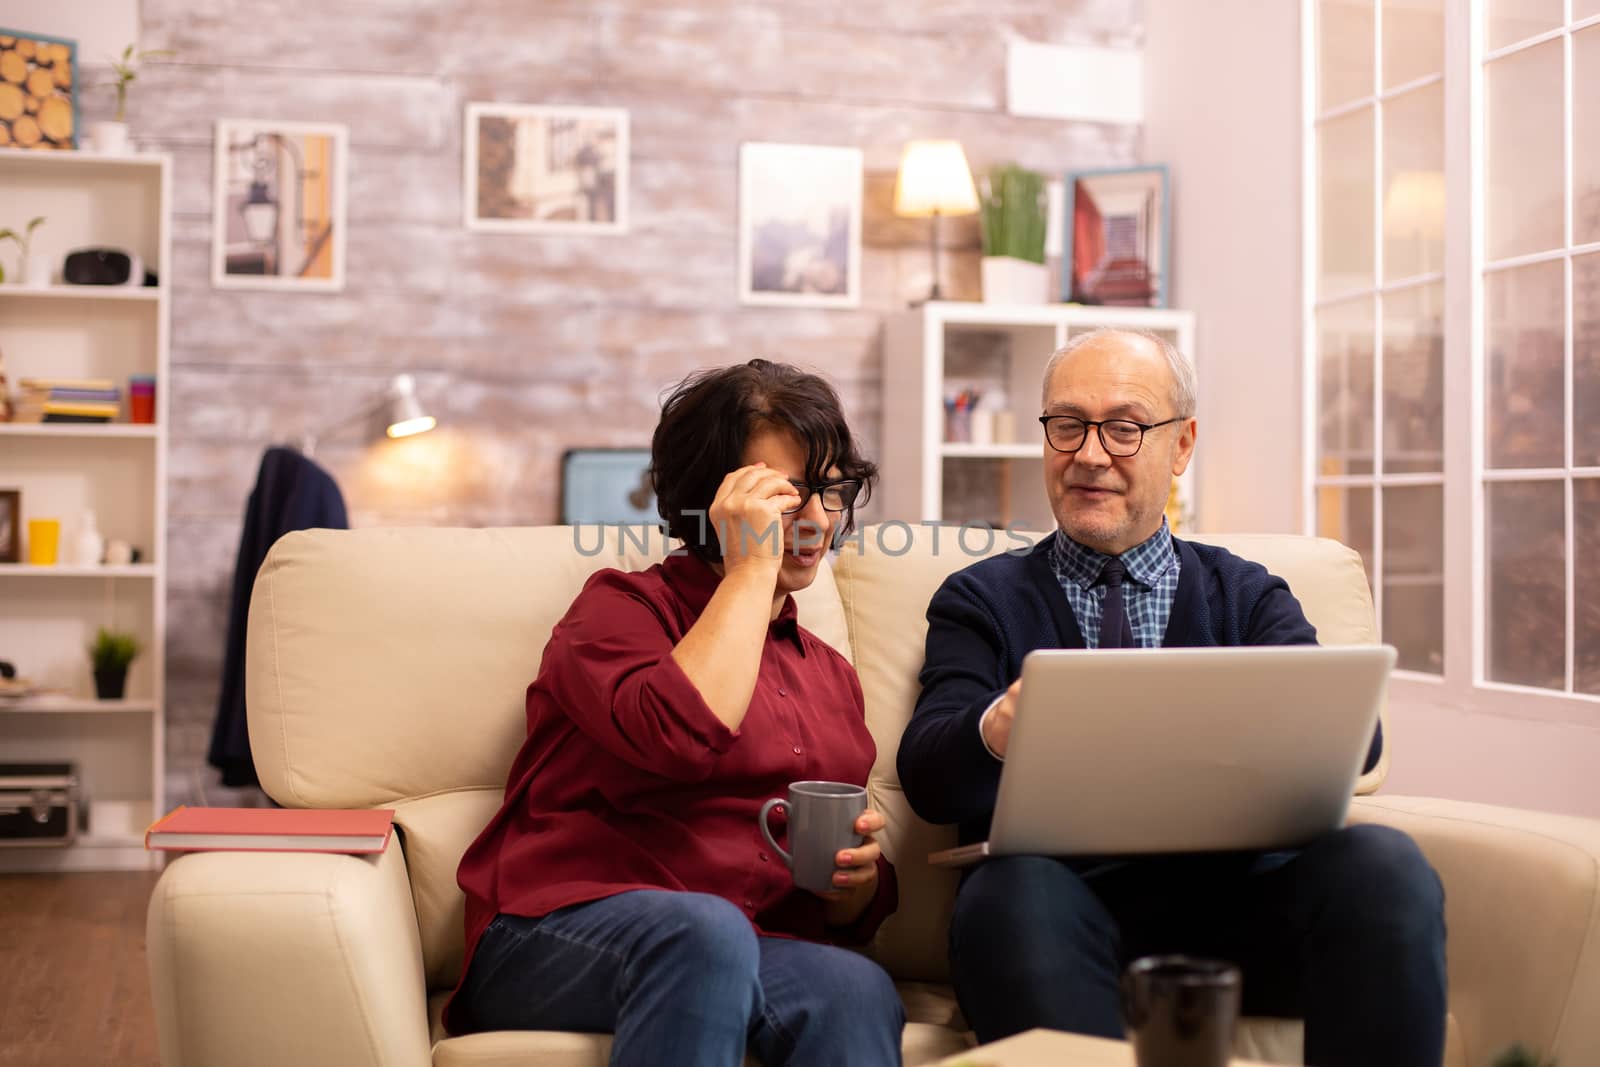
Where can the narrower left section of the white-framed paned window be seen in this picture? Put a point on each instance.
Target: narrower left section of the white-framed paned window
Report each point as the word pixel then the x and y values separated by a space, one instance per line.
pixel 1377 314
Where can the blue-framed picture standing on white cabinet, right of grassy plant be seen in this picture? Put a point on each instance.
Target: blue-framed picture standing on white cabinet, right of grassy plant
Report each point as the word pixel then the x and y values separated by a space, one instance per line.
pixel 1118 238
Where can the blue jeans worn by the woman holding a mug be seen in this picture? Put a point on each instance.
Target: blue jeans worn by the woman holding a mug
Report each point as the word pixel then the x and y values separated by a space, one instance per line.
pixel 682 978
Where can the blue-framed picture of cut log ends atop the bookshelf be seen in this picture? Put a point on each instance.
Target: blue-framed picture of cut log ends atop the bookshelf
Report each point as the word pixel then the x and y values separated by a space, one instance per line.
pixel 39 86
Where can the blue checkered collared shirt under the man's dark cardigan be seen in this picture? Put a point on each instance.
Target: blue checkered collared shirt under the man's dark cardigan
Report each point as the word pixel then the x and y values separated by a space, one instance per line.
pixel 1148 593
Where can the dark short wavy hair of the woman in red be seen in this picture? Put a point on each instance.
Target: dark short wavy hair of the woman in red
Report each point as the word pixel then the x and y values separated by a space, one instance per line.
pixel 710 418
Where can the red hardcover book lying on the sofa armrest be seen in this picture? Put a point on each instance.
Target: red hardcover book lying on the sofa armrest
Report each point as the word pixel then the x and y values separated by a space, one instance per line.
pixel 273 829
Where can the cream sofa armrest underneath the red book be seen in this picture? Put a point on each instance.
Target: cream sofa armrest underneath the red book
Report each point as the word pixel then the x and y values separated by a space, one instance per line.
pixel 270 959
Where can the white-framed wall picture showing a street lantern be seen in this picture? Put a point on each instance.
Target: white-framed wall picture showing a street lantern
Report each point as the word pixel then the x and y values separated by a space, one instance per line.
pixel 278 210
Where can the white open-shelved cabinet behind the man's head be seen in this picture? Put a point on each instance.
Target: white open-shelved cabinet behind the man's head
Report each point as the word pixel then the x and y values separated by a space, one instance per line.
pixel 946 348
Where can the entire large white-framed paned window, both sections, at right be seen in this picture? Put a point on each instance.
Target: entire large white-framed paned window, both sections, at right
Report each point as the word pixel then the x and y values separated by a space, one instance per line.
pixel 1505 322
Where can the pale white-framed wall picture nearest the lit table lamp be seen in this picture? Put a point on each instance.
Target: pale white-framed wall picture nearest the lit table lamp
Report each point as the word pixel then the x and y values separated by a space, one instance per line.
pixel 799 226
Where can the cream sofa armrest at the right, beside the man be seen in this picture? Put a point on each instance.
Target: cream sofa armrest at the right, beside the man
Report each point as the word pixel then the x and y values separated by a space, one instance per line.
pixel 1522 898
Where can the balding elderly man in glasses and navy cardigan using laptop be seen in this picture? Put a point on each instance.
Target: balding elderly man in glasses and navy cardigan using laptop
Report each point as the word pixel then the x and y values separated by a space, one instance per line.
pixel 1346 933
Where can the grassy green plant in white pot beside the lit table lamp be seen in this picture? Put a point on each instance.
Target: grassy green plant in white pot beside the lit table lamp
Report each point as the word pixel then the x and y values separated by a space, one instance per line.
pixel 1015 207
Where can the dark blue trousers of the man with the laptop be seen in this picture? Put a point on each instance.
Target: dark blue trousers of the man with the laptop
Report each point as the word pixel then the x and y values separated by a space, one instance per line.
pixel 1348 935
